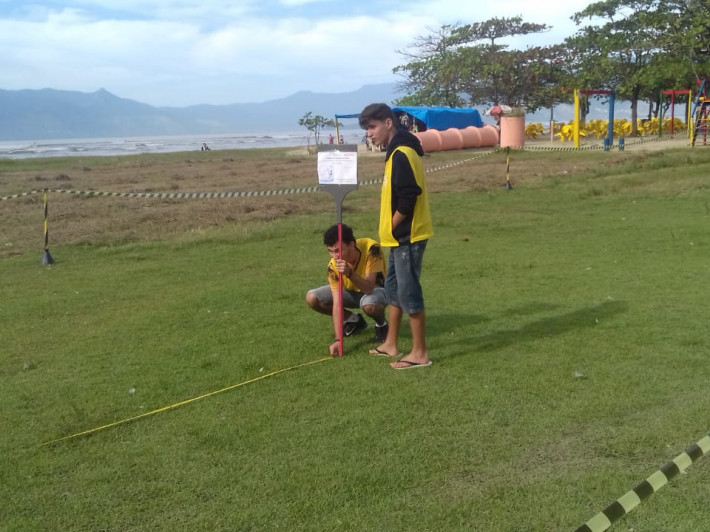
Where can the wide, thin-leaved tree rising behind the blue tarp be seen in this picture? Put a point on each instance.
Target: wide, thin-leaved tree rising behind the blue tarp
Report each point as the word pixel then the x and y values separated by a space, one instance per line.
pixel 465 64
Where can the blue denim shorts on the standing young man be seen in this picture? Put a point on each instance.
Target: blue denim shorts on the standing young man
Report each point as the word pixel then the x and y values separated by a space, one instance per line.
pixel 402 286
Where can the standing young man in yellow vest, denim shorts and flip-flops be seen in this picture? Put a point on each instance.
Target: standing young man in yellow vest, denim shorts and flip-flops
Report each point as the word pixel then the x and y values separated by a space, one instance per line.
pixel 405 227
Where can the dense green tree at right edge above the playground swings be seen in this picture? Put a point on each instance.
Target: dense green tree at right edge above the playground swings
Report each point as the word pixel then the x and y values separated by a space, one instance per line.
pixel 641 47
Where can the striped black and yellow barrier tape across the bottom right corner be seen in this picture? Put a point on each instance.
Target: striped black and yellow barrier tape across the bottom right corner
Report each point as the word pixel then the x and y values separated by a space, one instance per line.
pixel 623 505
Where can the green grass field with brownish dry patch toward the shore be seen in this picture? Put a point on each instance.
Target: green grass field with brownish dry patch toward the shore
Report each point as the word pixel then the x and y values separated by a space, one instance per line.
pixel 566 319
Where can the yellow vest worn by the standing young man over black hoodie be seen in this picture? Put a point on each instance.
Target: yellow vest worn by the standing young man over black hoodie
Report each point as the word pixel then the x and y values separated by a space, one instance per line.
pixel 422 228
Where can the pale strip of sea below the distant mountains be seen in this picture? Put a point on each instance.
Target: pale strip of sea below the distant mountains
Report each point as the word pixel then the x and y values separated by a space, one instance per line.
pixel 25 149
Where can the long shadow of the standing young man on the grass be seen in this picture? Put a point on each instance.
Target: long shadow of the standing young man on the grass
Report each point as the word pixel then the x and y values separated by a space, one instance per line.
pixel 542 328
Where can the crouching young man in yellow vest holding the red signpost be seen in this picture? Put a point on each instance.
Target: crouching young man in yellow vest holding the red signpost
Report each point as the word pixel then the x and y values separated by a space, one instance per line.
pixel 363 269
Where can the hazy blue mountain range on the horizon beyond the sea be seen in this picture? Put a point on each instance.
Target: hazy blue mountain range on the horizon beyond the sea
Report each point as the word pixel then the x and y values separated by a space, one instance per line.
pixel 54 114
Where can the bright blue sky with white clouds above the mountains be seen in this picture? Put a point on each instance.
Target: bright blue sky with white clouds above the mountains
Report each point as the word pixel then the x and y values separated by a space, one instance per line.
pixel 187 52
